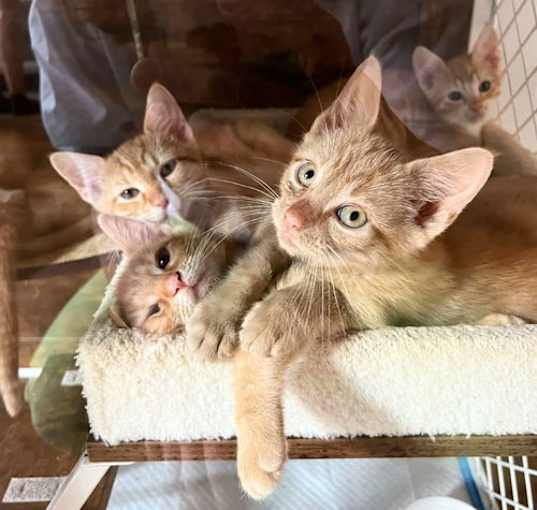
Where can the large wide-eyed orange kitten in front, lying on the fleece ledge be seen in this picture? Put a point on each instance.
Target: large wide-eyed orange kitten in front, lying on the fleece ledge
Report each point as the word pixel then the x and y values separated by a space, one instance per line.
pixel 367 232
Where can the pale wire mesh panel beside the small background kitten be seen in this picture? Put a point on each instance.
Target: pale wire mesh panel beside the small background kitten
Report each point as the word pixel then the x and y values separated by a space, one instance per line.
pixel 516 22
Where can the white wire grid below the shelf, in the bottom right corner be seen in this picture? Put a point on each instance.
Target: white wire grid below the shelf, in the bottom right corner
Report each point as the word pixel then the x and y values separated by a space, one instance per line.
pixel 509 482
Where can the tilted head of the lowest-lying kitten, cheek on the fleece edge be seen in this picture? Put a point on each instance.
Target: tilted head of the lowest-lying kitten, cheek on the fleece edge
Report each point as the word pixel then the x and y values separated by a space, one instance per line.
pixel 165 276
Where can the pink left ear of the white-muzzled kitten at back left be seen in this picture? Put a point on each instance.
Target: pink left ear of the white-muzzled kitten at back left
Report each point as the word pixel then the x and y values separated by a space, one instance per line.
pixel 84 172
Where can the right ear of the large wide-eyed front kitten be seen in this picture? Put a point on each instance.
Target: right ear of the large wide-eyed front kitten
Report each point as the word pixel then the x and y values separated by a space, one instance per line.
pixel 448 183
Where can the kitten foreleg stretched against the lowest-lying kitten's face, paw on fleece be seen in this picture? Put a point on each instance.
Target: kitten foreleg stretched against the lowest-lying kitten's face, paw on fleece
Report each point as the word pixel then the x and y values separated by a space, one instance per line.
pixel 212 330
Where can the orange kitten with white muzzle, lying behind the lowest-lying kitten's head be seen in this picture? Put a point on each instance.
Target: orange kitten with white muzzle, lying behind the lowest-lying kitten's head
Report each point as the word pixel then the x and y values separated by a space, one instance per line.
pixel 168 170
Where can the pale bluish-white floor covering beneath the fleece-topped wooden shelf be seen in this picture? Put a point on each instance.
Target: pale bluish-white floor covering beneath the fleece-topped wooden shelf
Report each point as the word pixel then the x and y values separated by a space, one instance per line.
pixel 375 484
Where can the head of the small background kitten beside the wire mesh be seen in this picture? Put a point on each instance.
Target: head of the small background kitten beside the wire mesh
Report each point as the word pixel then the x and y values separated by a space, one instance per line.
pixel 461 90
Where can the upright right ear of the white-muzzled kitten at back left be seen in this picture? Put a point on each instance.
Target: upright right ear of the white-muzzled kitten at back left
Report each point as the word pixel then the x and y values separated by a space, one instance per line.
pixel 163 115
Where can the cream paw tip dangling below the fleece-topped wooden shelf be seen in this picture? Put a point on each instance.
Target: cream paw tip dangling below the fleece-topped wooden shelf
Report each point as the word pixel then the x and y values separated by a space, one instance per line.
pixel 260 463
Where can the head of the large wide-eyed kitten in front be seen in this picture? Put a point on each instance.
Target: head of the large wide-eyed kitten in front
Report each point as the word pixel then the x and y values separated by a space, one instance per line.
pixel 349 197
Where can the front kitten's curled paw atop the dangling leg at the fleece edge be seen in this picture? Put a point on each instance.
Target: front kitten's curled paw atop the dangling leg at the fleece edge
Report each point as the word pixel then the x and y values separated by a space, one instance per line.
pixel 266 332
